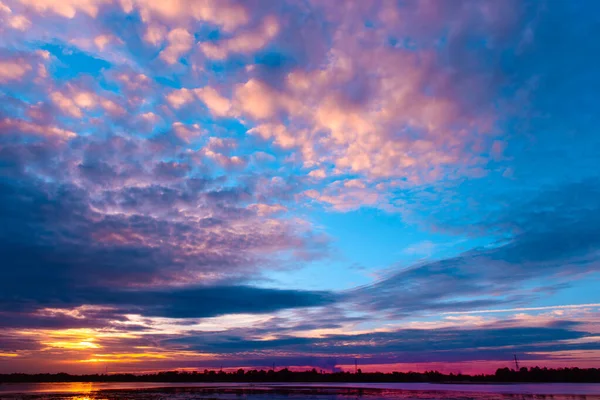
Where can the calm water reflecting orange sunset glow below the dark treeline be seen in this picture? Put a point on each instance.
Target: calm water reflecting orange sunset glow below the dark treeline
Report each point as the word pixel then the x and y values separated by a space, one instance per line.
pixel 320 391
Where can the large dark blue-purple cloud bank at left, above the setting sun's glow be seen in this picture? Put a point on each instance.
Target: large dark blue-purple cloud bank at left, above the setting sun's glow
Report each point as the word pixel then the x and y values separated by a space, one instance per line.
pixel 118 233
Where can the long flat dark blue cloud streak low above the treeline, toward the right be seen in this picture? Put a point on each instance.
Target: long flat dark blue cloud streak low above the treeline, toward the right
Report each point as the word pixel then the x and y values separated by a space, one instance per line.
pixel 402 345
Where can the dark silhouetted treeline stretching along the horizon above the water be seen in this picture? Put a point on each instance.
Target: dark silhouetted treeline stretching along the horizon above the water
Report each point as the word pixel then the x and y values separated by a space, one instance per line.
pixel 534 374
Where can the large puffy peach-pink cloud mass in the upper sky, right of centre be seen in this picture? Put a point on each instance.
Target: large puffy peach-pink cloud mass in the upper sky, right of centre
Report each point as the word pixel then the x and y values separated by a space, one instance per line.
pixel 395 130
